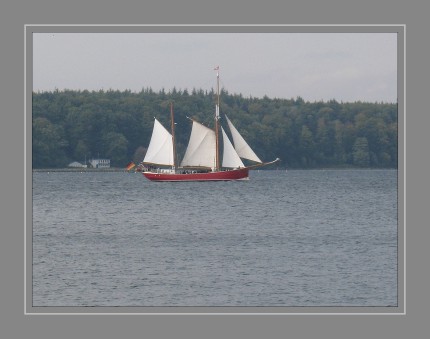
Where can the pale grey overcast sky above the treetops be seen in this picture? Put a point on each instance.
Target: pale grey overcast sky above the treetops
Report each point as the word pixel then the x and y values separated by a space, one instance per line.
pixel 346 67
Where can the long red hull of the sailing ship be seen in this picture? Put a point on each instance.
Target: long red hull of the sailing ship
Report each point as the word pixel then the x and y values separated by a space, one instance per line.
pixel 211 176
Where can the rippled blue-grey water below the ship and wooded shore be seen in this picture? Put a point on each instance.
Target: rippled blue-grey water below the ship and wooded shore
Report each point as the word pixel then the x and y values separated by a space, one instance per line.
pixel 302 238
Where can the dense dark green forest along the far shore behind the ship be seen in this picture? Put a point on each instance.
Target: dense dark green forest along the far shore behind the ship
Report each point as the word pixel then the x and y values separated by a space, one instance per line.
pixel 72 126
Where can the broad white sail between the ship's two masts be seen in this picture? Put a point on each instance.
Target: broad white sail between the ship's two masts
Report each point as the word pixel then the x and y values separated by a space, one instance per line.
pixel 201 148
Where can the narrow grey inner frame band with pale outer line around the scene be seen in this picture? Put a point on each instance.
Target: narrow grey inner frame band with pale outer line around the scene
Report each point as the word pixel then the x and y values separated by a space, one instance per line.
pixel 401 250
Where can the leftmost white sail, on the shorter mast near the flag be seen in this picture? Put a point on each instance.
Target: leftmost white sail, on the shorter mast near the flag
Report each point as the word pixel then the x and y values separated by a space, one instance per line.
pixel 160 149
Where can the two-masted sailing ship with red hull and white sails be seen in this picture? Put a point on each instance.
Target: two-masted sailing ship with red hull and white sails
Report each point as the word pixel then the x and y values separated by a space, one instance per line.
pixel 201 161
